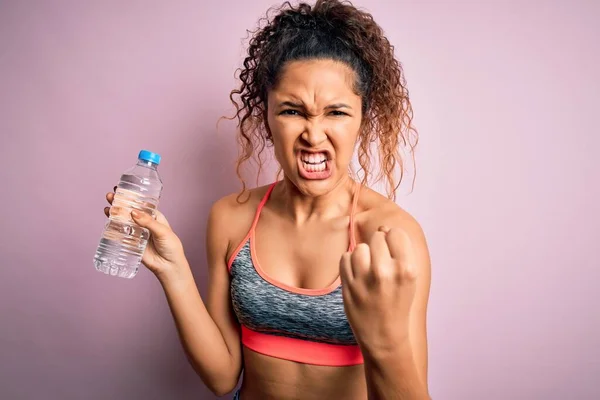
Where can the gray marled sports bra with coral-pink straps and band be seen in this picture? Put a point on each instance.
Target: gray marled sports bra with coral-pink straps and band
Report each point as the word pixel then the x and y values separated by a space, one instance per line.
pixel 302 325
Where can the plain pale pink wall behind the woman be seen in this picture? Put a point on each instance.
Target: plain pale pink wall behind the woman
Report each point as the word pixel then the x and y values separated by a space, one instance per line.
pixel 505 97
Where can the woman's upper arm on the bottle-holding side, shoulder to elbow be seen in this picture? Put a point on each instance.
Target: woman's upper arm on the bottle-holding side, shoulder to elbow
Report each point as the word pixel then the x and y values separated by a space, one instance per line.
pixel 219 298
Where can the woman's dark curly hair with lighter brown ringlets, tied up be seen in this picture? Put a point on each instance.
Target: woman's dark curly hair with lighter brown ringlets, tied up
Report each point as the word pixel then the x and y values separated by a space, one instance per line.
pixel 336 30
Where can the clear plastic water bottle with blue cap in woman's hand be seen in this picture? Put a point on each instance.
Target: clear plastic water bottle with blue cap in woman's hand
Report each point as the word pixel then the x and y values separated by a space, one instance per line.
pixel 123 241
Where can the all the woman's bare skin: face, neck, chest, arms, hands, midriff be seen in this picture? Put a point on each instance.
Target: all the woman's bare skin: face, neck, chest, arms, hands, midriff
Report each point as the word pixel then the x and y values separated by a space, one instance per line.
pixel 385 280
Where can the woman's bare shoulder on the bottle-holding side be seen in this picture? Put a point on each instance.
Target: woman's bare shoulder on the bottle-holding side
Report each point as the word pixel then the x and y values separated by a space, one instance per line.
pixel 230 218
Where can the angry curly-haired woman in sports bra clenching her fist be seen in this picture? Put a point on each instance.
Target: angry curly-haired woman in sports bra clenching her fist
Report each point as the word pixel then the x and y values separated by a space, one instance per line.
pixel 336 308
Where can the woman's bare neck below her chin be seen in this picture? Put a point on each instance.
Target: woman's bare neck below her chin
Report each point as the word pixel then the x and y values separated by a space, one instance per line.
pixel 301 207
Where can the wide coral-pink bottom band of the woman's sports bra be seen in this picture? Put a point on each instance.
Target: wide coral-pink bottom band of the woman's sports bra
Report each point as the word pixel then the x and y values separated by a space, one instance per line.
pixel 302 351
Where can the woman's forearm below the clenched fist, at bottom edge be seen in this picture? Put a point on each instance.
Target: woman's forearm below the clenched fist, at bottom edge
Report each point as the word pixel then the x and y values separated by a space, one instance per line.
pixel 393 374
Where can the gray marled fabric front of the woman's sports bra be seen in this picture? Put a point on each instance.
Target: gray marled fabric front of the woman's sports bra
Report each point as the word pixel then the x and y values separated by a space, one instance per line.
pixel 264 307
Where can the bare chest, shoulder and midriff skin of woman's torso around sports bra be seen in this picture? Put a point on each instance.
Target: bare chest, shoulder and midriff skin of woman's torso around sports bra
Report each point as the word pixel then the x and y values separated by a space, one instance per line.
pixel 298 256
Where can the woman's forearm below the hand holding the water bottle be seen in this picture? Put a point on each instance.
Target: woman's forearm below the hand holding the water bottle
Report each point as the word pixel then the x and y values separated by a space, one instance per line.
pixel 202 340
